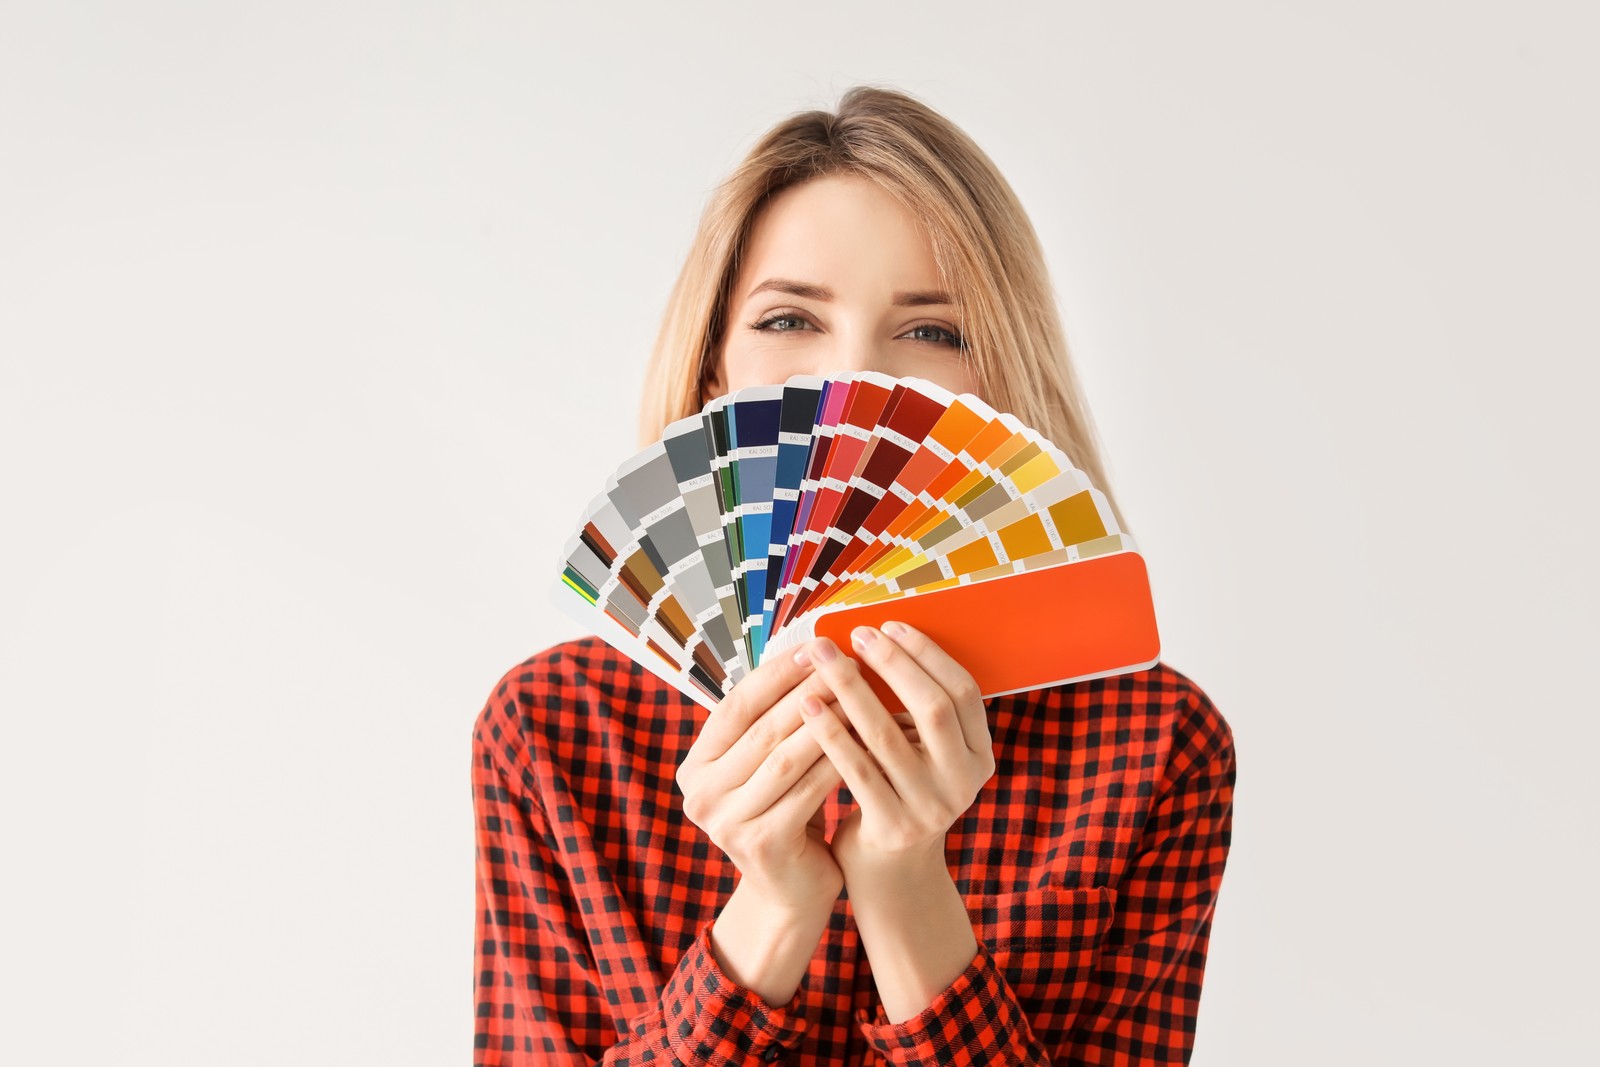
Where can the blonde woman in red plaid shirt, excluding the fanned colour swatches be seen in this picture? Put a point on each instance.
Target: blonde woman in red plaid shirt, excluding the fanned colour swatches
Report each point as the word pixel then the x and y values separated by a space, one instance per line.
pixel 801 877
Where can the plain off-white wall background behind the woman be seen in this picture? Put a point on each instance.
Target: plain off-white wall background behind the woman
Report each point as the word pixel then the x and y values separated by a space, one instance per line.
pixel 298 298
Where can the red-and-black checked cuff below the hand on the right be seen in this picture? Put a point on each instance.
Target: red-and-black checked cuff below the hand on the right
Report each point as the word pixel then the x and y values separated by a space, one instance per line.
pixel 977 1017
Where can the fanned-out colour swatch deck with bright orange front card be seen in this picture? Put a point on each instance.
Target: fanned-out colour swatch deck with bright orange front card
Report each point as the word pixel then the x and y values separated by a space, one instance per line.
pixel 798 511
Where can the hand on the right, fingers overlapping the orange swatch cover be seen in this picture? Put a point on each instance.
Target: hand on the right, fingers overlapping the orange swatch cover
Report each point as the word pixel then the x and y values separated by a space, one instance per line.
pixel 908 791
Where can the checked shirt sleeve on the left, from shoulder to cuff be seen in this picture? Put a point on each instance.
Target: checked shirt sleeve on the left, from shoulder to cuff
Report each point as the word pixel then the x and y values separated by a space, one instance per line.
pixel 538 989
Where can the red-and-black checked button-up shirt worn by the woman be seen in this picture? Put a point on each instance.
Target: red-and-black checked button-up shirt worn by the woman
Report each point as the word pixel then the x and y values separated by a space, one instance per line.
pixel 1090 865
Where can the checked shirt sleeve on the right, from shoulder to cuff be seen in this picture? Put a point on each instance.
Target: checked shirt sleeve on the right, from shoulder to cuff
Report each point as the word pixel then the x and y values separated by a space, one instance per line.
pixel 1143 996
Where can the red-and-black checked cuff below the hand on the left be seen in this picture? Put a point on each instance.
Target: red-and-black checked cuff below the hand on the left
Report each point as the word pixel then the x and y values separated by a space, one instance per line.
pixel 711 1020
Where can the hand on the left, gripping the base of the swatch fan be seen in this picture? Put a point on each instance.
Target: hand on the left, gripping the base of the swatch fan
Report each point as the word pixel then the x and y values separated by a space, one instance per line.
pixel 754 783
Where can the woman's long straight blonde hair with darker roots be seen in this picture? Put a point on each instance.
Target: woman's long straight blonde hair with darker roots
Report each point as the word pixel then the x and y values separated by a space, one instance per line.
pixel 986 250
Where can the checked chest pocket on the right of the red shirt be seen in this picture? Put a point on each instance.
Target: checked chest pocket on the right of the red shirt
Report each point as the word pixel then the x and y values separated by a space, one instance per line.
pixel 1046 943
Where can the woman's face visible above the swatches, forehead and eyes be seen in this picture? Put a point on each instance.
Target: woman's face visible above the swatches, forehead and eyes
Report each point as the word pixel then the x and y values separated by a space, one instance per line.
pixel 839 278
